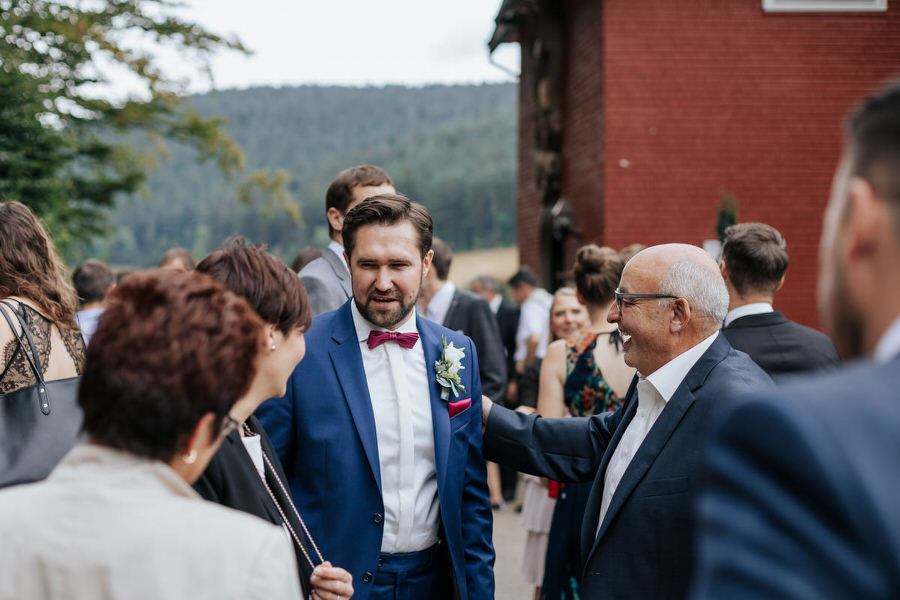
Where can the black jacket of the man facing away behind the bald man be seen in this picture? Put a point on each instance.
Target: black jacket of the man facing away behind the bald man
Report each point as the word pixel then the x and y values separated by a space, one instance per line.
pixel 781 347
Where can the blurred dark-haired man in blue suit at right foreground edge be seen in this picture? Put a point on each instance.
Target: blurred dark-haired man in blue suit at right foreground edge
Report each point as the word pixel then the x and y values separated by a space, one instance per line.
pixel 802 499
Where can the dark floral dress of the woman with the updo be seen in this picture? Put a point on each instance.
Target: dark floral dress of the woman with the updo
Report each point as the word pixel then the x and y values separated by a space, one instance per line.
pixel 586 393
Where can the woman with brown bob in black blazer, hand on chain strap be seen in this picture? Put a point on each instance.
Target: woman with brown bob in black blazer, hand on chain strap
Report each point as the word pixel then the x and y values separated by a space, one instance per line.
pixel 245 473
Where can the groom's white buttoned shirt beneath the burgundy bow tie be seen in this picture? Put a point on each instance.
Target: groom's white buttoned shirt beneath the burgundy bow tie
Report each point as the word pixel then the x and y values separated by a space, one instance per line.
pixel 397 380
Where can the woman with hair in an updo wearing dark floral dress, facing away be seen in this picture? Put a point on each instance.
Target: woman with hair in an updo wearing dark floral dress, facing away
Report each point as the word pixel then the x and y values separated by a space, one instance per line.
pixel 582 375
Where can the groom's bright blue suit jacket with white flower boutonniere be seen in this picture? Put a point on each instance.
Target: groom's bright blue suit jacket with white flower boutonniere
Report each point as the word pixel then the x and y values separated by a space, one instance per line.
pixel 323 430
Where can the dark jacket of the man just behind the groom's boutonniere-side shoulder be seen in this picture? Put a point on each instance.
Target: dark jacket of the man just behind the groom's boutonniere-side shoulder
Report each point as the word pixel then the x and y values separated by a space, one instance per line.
pixel 471 315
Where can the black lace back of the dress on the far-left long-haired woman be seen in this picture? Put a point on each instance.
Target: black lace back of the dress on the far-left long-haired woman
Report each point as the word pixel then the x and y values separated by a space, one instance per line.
pixel 15 370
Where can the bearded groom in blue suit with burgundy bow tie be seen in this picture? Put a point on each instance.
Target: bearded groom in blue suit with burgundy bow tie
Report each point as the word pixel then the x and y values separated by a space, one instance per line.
pixel 380 428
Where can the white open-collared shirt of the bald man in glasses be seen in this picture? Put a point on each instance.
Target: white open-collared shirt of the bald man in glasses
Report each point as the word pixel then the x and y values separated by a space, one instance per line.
pixel 654 393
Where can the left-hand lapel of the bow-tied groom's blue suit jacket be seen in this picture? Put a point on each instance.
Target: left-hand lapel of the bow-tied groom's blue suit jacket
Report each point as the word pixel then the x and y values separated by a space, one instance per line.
pixel 347 361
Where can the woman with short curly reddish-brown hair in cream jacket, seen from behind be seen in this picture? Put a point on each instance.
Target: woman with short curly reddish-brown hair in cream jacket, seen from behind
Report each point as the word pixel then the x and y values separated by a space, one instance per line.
pixel 117 518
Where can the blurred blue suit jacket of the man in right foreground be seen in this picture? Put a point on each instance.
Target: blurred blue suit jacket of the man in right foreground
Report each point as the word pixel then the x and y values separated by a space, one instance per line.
pixel 804 493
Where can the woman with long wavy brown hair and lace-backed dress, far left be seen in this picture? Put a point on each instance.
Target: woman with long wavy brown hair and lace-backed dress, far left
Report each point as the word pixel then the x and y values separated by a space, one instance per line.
pixel 40 344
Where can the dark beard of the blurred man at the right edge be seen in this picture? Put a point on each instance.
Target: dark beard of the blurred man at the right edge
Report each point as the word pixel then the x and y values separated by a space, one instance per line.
pixel 842 320
